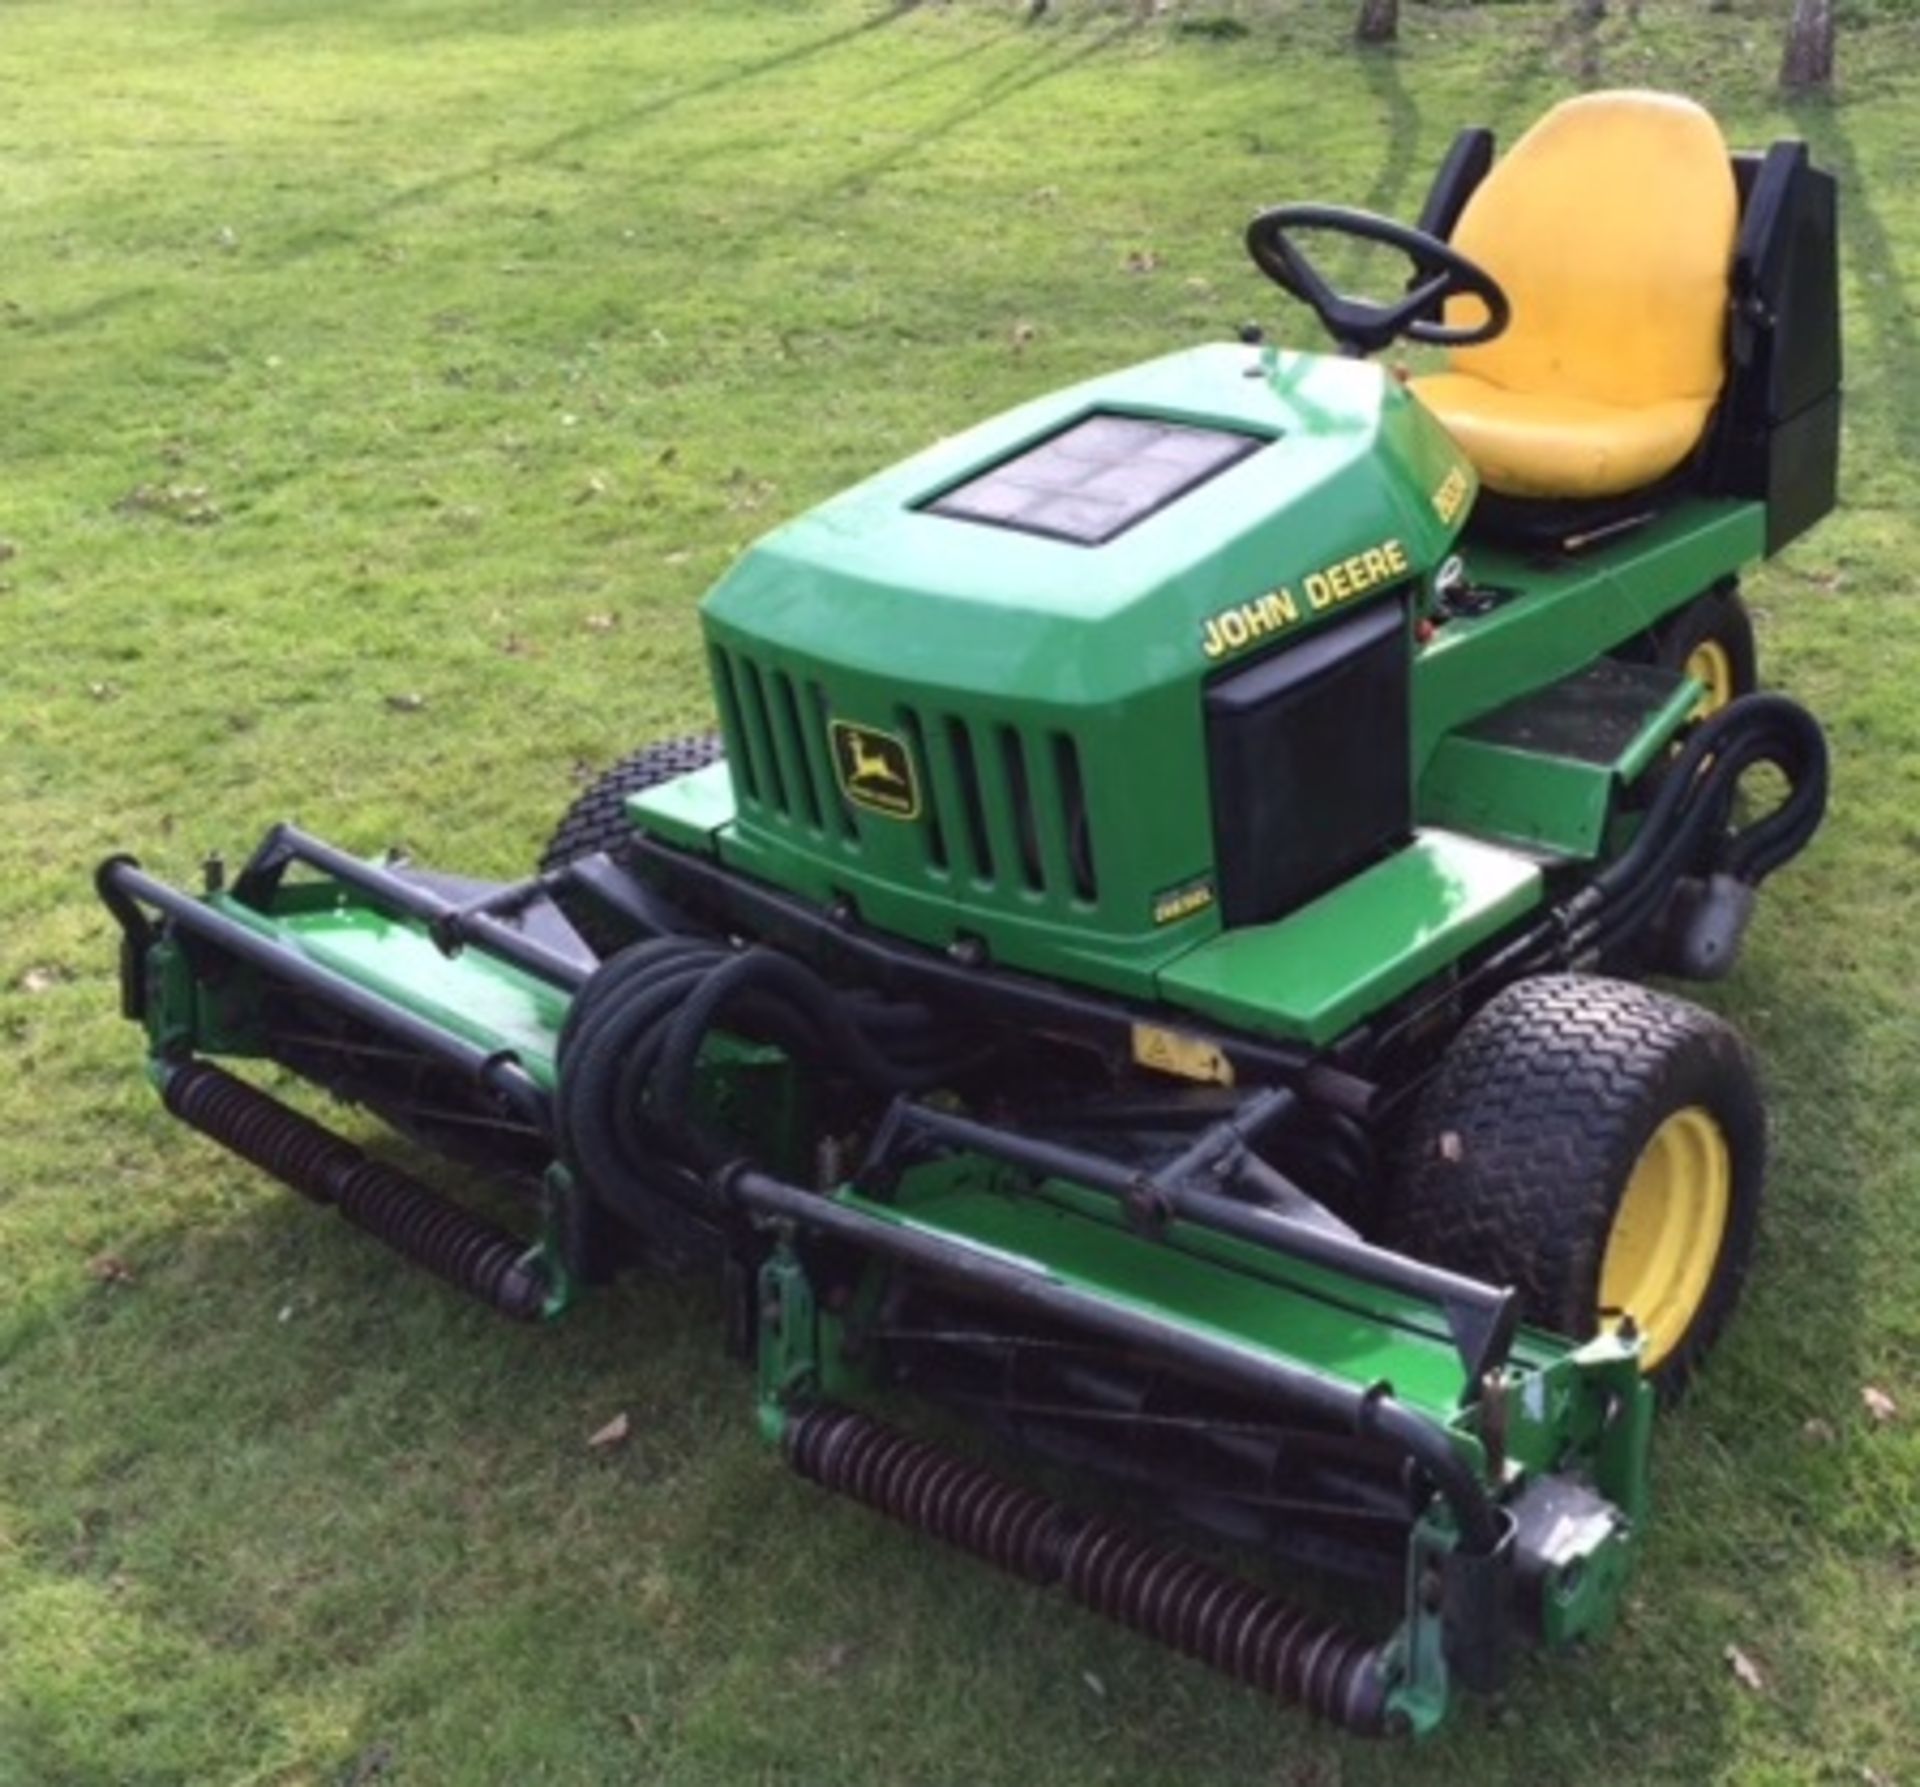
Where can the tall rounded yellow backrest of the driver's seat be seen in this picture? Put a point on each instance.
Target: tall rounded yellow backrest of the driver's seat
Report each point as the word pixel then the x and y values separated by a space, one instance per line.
pixel 1612 229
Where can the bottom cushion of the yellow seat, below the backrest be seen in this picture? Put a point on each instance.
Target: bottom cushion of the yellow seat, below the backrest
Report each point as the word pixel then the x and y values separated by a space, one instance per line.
pixel 1552 446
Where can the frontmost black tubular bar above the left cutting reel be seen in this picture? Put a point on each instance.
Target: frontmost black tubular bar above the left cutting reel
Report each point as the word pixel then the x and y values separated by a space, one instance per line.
pixel 126 888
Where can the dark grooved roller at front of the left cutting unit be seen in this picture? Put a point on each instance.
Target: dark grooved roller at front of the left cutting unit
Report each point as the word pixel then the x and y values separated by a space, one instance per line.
pixel 385 1203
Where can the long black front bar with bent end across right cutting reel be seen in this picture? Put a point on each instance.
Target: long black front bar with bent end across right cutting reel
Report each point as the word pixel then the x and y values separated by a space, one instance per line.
pixel 1370 1412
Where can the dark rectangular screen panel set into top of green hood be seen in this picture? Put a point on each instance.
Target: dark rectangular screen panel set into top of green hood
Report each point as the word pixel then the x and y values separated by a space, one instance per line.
pixel 1095 479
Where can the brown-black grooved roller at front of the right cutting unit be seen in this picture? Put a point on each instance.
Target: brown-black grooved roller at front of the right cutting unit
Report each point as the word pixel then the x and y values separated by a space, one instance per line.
pixel 1161 1592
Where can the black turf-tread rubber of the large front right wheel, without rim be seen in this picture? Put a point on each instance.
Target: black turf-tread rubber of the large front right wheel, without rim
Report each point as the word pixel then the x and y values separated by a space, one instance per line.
pixel 1520 1149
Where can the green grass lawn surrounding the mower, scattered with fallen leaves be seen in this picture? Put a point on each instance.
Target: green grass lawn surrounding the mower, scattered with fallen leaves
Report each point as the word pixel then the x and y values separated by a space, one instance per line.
pixel 381 383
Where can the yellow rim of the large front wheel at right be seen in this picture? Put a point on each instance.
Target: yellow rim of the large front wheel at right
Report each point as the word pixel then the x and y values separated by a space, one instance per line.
pixel 1668 1231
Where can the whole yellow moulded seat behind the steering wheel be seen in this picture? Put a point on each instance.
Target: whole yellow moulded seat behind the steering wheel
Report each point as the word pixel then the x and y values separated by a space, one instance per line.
pixel 1612 229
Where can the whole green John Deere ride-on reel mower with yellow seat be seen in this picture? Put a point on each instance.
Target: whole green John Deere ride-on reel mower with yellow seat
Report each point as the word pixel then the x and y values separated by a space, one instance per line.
pixel 1149 961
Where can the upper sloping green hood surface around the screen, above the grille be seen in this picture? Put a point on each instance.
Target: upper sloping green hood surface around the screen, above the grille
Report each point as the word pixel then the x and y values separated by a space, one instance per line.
pixel 875 584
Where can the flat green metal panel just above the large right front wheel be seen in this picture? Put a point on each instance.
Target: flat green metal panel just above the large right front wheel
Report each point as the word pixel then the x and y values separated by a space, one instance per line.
pixel 1349 953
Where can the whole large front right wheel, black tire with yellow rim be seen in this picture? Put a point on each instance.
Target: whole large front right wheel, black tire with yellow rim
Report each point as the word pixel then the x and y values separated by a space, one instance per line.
pixel 1595 1145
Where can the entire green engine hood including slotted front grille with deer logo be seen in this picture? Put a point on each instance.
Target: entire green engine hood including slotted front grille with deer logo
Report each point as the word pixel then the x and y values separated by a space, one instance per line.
pixel 1028 711
